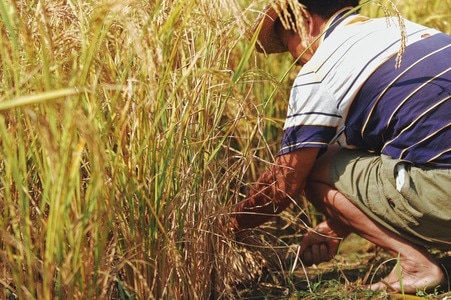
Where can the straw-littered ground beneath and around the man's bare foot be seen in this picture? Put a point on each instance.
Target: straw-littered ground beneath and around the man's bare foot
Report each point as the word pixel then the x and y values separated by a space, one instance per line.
pixel 357 264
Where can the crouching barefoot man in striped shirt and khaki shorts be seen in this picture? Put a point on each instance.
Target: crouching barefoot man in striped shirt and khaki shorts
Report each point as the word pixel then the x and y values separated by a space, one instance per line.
pixel 366 140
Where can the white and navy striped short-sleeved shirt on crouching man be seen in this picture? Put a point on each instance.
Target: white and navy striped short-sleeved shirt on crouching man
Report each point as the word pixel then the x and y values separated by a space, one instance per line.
pixel 351 92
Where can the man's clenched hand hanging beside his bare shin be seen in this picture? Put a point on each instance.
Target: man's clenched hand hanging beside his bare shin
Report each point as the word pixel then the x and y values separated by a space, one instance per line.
pixel 320 244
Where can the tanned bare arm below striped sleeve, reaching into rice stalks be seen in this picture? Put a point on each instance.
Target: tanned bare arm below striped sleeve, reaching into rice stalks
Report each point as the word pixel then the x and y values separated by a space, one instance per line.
pixel 275 189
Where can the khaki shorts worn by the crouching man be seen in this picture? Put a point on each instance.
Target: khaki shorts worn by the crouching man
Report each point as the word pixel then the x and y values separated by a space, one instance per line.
pixel 419 208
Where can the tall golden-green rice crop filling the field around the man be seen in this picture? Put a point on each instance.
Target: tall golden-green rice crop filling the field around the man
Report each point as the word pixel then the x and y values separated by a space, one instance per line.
pixel 127 131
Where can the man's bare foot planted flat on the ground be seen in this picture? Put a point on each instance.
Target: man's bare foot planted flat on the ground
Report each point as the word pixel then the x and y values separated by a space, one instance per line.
pixel 415 276
